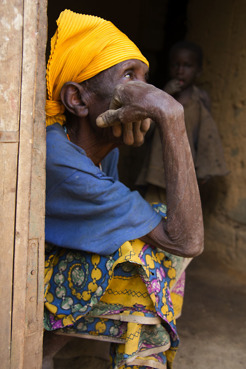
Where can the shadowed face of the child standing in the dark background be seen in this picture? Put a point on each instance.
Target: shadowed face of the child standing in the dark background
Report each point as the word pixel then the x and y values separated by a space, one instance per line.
pixel 184 67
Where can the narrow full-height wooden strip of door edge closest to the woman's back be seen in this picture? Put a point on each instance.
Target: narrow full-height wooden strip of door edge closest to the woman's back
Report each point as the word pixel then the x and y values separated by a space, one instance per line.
pixel 34 327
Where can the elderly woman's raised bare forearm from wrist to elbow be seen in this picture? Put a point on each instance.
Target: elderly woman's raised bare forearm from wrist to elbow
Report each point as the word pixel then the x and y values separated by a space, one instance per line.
pixel 182 232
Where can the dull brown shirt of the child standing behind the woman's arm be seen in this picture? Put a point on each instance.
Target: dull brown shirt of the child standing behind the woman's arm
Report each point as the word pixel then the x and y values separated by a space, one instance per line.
pixel 205 144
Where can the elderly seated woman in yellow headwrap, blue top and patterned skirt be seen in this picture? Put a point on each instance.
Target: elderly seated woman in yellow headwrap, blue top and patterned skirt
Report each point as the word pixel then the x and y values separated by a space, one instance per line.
pixel 114 264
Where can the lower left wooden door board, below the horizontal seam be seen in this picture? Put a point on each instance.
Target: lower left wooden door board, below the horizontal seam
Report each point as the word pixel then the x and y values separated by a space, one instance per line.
pixel 8 165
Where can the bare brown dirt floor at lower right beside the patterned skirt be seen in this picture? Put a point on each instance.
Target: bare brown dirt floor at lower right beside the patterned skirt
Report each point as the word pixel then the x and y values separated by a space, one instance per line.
pixel 212 328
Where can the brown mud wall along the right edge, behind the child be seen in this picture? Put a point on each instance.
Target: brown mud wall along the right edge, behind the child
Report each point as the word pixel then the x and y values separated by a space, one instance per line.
pixel 220 28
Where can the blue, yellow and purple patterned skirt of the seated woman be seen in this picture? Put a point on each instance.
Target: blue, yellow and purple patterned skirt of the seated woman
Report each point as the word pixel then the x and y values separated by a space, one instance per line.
pixel 130 298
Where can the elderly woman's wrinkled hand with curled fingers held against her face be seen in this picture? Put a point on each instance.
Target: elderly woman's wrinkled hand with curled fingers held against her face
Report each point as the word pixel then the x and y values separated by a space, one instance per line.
pixel 132 108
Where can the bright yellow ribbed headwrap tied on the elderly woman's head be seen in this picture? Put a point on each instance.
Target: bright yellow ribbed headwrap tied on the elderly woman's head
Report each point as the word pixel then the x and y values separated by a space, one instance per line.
pixel 82 46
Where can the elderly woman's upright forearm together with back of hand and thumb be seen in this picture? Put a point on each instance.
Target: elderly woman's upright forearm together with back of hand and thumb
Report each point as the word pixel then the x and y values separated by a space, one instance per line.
pixel 182 232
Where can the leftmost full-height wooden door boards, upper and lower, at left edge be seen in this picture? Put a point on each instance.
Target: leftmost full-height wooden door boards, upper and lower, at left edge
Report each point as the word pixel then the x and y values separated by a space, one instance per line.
pixel 10 80
